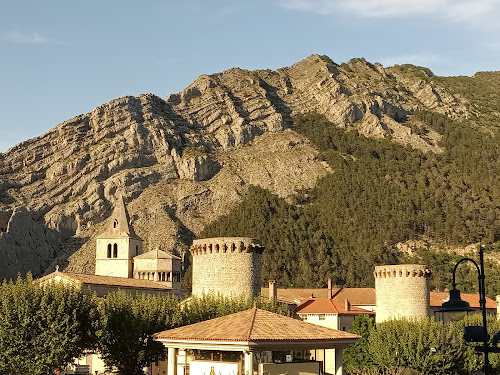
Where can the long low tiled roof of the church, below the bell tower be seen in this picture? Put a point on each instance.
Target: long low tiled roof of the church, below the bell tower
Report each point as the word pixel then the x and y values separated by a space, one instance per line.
pixel 105 280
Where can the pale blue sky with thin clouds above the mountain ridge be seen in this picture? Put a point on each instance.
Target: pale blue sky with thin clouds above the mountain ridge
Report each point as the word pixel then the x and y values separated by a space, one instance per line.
pixel 59 59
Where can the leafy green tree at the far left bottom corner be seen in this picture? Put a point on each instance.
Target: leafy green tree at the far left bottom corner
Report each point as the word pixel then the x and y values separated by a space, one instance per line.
pixel 44 327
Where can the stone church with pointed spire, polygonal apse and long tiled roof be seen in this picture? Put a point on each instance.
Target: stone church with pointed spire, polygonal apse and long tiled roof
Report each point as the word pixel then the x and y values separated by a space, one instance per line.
pixel 120 263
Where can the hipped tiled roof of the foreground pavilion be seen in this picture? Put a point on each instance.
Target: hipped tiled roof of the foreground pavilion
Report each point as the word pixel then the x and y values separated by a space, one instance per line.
pixel 254 325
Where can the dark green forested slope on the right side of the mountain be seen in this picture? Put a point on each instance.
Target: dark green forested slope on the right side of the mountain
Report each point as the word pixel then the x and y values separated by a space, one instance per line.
pixel 380 193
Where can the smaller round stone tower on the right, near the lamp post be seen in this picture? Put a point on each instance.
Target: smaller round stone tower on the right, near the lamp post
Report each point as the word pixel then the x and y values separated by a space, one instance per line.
pixel 402 291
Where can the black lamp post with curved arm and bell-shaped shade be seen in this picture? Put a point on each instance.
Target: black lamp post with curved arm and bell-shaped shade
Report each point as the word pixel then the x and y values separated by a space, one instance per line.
pixel 456 304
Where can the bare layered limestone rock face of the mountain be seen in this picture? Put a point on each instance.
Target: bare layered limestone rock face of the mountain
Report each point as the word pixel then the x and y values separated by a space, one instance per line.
pixel 184 161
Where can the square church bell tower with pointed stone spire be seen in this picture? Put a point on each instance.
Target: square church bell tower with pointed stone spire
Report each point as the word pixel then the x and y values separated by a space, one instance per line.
pixel 116 247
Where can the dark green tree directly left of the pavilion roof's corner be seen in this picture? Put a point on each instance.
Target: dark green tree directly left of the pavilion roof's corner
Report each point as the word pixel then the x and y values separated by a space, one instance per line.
pixel 126 326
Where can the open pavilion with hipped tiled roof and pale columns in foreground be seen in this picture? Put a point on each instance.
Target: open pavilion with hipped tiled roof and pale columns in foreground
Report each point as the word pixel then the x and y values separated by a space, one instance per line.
pixel 251 342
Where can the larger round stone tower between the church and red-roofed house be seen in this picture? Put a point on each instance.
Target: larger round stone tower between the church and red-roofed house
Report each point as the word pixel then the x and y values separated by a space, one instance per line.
pixel 229 266
